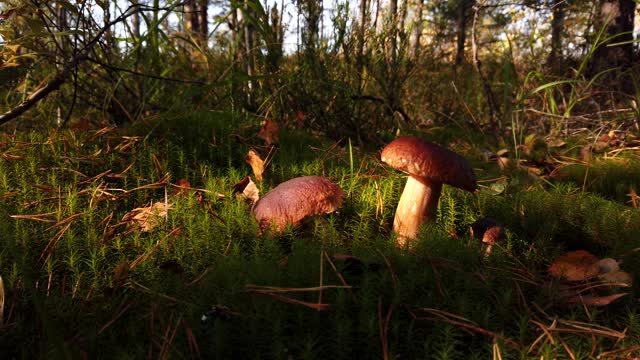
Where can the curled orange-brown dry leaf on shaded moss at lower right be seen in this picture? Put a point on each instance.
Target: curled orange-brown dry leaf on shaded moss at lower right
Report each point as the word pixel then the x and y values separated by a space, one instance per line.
pixel 575 266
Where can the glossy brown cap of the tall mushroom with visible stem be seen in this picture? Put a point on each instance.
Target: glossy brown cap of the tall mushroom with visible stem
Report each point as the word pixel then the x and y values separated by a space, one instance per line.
pixel 430 161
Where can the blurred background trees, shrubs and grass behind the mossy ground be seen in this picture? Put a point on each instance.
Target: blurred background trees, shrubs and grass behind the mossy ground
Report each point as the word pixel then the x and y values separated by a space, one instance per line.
pixel 349 69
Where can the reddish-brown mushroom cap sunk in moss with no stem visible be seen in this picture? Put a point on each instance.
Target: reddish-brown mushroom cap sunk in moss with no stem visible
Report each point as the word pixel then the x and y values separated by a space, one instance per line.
pixel 295 200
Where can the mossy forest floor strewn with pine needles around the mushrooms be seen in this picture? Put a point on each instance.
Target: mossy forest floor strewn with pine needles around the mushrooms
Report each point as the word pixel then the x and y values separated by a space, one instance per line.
pixel 136 245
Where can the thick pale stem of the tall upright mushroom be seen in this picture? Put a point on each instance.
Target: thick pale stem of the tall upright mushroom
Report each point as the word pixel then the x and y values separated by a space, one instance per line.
pixel 418 203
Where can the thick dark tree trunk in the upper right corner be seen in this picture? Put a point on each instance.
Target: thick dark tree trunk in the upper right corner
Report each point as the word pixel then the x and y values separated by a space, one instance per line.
pixel 616 17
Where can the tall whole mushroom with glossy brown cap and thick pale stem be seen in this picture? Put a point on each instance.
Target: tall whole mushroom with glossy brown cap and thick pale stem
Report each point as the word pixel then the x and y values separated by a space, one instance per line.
pixel 429 166
